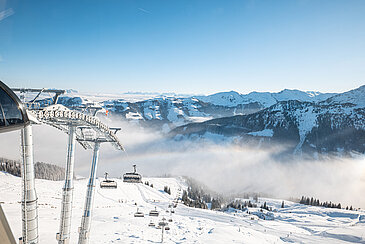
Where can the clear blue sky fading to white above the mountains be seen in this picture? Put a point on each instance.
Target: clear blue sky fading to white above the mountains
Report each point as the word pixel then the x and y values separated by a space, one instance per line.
pixel 183 46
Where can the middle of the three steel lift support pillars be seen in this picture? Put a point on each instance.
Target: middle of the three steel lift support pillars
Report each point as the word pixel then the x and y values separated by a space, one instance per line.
pixel 63 236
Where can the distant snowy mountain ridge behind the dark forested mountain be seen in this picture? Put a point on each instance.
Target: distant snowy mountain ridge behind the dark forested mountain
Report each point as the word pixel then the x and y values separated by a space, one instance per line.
pixel 160 109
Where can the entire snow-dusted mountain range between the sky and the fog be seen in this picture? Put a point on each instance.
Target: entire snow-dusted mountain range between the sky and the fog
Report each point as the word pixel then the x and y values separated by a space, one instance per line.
pixel 305 121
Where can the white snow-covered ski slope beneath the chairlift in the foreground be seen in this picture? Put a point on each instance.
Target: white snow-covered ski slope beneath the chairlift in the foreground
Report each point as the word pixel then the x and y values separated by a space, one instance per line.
pixel 114 221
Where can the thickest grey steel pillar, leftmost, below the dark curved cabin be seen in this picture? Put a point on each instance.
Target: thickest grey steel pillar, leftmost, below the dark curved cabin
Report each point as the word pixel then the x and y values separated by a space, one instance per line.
pixel 29 196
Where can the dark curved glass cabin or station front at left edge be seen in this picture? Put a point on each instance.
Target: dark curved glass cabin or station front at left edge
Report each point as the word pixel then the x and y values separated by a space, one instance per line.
pixel 13 115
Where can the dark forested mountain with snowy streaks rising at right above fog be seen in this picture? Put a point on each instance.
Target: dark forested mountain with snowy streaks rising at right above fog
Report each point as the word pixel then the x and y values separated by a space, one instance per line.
pixel 334 125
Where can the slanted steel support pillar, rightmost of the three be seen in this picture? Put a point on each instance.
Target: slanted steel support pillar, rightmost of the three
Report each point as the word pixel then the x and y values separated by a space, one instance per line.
pixel 84 230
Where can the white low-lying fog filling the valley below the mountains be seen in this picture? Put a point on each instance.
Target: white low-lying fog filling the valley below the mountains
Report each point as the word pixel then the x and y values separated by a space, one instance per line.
pixel 223 168
